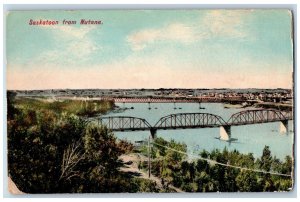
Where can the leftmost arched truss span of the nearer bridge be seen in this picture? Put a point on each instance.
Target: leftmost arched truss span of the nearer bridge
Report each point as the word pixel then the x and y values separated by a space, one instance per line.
pixel 124 123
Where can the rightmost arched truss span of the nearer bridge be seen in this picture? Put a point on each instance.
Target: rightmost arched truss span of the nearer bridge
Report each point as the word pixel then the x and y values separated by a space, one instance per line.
pixel 258 116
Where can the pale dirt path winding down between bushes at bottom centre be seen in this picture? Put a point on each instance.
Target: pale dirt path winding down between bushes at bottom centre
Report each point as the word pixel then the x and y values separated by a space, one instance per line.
pixel 133 167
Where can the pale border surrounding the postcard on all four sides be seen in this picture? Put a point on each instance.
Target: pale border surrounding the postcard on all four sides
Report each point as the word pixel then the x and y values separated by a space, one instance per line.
pixel 119 4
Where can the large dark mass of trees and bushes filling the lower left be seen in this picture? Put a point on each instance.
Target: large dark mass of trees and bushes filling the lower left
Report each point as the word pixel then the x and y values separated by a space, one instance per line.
pixel 51 152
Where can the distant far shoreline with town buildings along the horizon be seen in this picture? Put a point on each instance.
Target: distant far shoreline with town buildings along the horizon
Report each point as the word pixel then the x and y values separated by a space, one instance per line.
pixel 233 98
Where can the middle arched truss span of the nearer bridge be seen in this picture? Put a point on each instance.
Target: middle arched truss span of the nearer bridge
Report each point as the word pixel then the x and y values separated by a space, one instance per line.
pixel 189 120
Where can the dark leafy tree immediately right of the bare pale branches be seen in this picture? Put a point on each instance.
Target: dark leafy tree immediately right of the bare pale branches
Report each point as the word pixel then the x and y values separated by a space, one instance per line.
pixel 102 154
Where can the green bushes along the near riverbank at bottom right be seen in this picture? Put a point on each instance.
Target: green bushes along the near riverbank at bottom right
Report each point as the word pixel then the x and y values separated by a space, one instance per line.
pixel 203 176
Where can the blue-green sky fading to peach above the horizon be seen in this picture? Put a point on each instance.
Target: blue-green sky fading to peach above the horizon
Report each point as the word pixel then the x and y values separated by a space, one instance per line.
pixel 150 49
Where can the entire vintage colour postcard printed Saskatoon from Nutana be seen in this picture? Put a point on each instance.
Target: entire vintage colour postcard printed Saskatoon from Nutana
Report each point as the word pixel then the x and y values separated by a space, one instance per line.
pixel 150 101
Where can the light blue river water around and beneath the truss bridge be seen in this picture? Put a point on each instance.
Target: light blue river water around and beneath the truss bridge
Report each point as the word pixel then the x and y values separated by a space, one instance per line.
pixel 250 138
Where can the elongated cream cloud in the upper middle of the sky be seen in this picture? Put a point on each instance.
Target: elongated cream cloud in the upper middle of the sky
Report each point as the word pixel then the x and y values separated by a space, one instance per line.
pixel 176 32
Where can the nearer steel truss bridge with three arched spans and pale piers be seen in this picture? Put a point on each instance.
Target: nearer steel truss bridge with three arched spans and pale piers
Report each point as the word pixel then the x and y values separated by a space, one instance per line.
pixel 199 120
